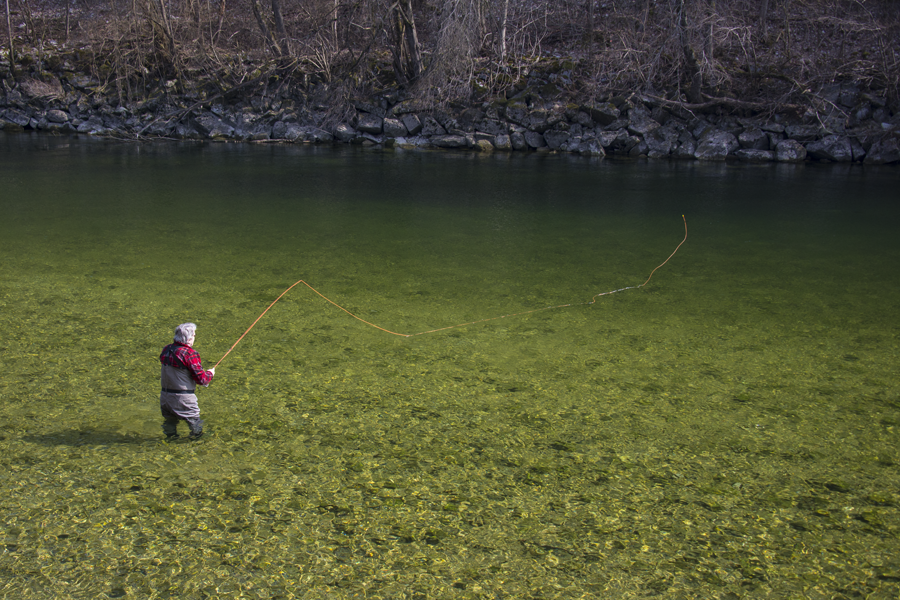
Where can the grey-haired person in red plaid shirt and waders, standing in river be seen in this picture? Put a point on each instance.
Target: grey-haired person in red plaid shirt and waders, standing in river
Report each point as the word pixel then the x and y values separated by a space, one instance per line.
pixel 181 372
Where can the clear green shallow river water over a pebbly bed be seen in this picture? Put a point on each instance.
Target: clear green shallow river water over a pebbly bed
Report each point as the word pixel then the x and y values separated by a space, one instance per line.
pixel 729 430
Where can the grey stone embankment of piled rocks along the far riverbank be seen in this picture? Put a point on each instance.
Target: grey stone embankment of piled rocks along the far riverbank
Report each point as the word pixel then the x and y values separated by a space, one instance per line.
pixel 852 127
